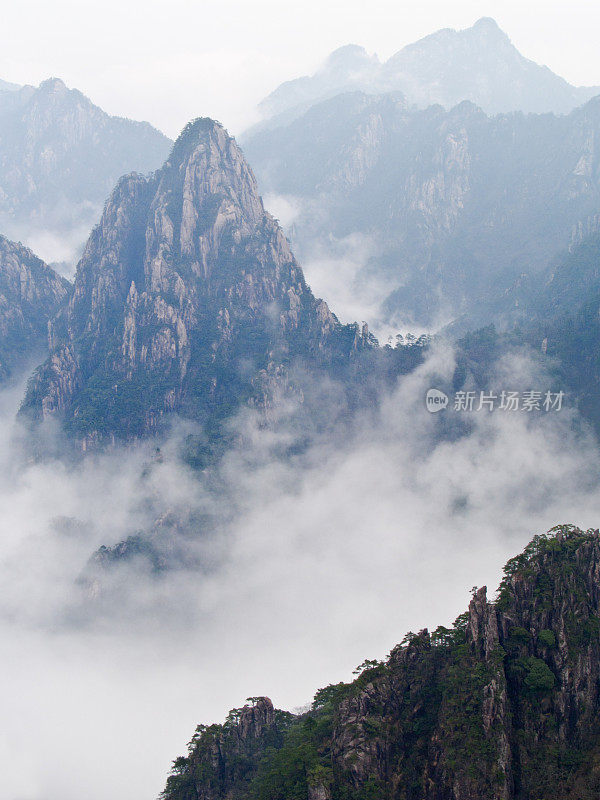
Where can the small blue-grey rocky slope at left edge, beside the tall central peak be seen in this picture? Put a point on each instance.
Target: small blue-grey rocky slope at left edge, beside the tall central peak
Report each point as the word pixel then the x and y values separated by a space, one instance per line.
pixel 31 293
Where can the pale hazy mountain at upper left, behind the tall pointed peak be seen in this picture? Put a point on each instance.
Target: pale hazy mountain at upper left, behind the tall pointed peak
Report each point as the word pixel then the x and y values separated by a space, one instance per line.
pixel 60 156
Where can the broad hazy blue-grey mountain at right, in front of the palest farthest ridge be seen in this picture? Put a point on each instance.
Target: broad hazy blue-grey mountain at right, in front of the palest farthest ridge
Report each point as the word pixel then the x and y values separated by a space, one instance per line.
pixel 455 205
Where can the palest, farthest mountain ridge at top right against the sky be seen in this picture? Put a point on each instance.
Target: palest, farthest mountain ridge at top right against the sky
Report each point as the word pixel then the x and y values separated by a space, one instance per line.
pixel 479 64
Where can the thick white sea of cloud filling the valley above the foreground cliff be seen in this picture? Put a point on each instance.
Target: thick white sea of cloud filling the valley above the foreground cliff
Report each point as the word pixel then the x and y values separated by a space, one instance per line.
pixel 318 556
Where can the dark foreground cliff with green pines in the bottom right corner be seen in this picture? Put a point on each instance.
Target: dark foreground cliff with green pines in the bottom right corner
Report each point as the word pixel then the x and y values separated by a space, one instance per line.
pixel 504 705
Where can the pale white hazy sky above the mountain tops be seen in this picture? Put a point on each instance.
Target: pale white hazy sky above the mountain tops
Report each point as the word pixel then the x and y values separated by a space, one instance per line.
pixel 170 61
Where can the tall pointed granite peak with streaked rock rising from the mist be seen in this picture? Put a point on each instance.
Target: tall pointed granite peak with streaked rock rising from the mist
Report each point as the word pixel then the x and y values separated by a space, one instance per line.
pixel 187 299
